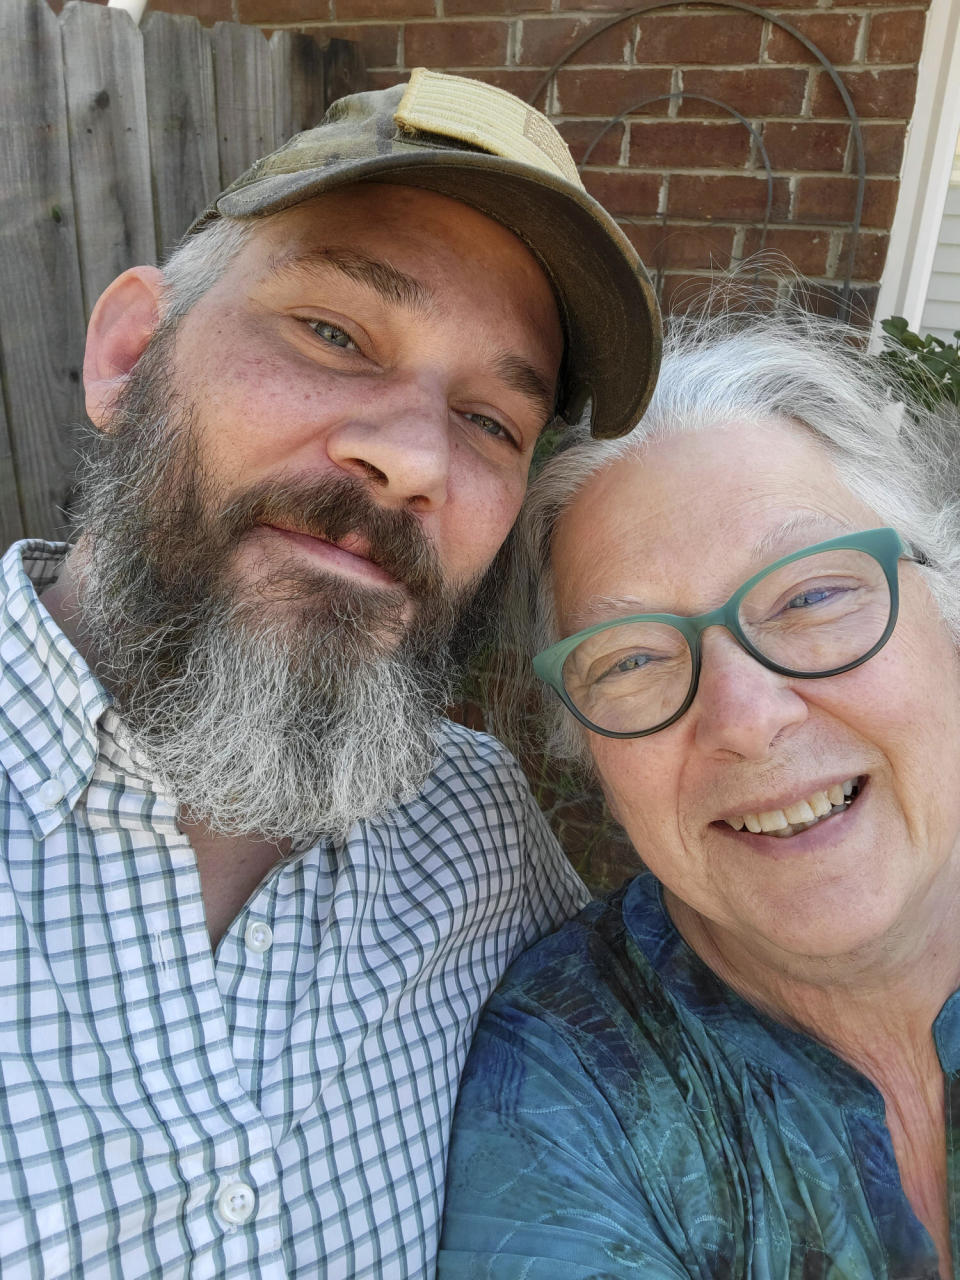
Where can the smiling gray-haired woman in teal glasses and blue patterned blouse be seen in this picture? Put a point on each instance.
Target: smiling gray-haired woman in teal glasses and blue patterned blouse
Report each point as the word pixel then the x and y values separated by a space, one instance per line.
pixel 744 1063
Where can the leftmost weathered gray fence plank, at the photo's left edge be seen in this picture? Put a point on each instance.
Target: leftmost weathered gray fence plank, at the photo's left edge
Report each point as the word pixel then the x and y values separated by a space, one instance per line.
pixel 42 312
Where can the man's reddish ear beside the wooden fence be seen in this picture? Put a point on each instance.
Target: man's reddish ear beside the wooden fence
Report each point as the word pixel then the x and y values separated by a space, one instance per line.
pixel 121 327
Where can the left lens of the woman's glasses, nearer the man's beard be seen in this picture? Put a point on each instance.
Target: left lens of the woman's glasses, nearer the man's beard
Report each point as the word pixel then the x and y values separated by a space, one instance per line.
pixel 629 678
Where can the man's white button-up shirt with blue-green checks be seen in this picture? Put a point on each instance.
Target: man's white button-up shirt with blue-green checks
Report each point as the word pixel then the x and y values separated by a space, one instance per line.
pixel 278 1108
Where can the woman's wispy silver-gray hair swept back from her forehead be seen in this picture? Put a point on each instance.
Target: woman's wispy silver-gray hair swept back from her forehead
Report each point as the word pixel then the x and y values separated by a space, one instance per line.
pixel 895 456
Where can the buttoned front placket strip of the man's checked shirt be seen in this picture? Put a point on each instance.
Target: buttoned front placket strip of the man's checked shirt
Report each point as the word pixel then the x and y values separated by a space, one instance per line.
pixel 180 1040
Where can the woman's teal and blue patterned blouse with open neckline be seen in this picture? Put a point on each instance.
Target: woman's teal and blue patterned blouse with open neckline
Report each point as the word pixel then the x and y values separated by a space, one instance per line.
pixel 624 1114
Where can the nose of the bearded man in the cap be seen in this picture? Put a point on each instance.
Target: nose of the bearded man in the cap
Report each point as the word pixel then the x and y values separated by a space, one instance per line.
pixel 399 438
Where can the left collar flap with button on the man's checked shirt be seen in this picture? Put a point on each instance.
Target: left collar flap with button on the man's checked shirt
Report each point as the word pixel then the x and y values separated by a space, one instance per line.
pixel 51 702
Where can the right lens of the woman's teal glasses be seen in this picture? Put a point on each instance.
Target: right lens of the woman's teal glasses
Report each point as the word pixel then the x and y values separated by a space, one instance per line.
pixel 820 612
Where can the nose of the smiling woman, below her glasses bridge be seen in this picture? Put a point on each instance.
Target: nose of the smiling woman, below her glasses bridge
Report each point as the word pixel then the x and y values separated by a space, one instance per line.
pixel 742 707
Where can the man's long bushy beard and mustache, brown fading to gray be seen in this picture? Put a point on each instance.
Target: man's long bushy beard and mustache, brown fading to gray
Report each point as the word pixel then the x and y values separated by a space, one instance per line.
pixel 290 706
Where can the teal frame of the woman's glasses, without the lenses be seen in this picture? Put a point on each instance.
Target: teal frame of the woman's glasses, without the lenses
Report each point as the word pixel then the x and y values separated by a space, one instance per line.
pixel 884 545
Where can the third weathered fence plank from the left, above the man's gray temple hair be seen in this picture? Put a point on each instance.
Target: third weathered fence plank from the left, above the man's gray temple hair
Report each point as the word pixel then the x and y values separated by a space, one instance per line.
pixel 182 122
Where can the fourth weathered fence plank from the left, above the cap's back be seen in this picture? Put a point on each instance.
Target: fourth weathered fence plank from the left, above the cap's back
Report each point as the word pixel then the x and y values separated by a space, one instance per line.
pixel 245 98
